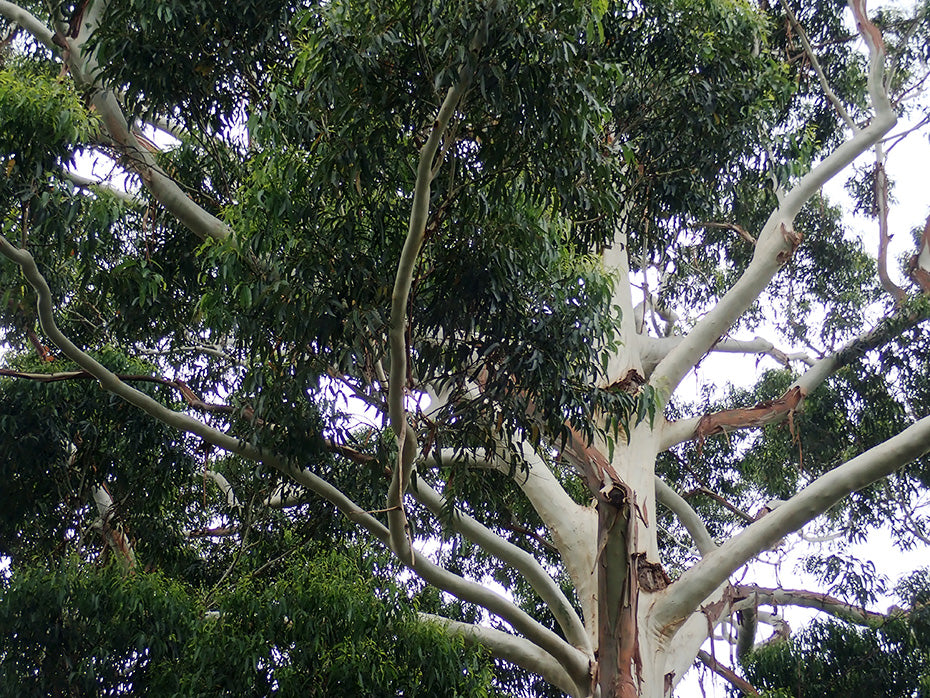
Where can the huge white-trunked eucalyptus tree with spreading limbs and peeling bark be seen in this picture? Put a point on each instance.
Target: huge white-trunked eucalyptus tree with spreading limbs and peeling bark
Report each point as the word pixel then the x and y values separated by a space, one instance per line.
pixel 509 229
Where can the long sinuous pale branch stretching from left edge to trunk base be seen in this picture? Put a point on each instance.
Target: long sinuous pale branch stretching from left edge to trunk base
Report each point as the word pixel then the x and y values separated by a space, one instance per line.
pixel 573 660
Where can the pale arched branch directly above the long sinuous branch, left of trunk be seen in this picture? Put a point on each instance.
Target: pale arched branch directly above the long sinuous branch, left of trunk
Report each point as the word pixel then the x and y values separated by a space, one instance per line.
pixel 516 557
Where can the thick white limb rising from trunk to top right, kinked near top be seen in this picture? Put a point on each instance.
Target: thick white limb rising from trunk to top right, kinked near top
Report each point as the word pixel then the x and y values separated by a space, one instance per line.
pixel 778 240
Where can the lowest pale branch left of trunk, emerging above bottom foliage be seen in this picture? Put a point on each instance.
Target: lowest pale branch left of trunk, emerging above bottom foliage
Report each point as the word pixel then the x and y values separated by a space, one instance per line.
pixel 511 648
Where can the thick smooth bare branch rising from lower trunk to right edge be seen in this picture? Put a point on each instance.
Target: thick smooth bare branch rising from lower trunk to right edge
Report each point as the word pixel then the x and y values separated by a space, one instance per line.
pixel 697 583
